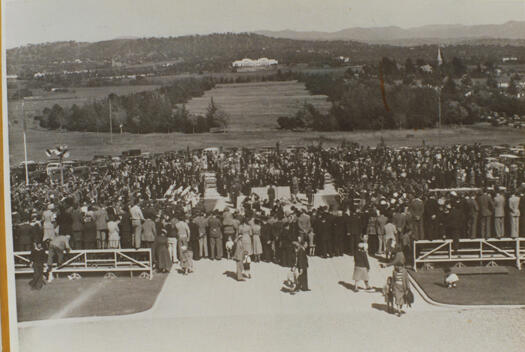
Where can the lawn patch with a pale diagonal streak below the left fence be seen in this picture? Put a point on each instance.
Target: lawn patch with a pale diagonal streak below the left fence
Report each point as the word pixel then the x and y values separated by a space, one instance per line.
pixel 91 296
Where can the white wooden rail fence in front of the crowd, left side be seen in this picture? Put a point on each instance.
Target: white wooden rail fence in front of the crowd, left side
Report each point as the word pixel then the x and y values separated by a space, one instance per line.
pixel 94 260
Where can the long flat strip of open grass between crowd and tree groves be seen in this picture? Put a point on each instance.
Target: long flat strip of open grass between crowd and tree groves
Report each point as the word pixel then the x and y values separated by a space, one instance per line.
pixel 84 145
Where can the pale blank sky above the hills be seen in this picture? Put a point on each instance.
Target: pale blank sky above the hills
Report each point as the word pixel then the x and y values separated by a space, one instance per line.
pixel 38 21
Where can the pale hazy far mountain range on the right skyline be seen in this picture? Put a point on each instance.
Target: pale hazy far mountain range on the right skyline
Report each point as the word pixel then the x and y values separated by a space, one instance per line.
pixel 430 34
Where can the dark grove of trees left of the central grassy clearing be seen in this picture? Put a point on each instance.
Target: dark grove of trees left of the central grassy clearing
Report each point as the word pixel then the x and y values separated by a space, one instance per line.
pixel 161 110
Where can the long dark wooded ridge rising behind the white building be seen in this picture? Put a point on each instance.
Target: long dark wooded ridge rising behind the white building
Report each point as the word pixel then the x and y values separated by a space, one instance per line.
pixel 216 52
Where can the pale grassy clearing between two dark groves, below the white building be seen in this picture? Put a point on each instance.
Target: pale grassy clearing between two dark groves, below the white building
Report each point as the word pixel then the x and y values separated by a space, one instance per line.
pixel 256 106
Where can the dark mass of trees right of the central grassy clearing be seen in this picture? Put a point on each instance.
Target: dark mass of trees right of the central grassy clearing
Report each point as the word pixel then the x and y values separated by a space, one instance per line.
pixel 410 98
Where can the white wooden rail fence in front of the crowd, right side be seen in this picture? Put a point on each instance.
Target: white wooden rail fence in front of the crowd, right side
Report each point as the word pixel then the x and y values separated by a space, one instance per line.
pixel 470 250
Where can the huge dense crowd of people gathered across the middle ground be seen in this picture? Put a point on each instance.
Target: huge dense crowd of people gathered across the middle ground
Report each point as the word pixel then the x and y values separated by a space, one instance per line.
pixel 387 198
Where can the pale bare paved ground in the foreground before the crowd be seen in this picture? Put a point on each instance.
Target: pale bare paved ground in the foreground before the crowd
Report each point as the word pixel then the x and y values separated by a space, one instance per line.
pixel 209 310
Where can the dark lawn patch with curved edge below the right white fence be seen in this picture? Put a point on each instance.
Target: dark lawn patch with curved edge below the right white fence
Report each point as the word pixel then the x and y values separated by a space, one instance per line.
pixel 491 289
